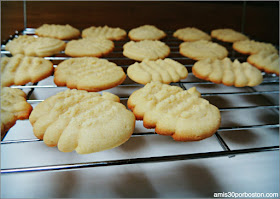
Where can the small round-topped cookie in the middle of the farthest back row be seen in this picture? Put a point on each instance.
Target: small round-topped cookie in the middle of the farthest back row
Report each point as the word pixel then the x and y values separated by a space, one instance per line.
pixel 146 32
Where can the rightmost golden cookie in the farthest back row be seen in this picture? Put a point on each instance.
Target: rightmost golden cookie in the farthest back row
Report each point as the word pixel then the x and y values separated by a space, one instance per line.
pixel 228 35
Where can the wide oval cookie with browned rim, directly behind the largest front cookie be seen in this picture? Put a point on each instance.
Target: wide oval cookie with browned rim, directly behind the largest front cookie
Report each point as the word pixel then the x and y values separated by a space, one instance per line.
pixel 88 73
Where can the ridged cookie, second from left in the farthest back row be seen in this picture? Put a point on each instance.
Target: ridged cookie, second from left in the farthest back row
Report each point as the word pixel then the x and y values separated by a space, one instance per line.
pixel 104 31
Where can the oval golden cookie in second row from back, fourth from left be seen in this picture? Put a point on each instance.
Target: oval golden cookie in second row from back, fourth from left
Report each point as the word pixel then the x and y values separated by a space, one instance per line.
pixel 203 49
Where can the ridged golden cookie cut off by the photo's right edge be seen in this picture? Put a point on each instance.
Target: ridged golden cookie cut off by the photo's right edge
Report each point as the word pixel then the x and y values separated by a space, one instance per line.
pixel 266 61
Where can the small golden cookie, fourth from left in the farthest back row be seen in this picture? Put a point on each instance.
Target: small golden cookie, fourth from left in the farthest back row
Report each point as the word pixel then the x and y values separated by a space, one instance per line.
pixel 191 34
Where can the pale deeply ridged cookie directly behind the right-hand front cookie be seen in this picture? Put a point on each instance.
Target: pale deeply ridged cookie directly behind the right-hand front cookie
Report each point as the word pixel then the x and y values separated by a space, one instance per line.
pixel 165 71
